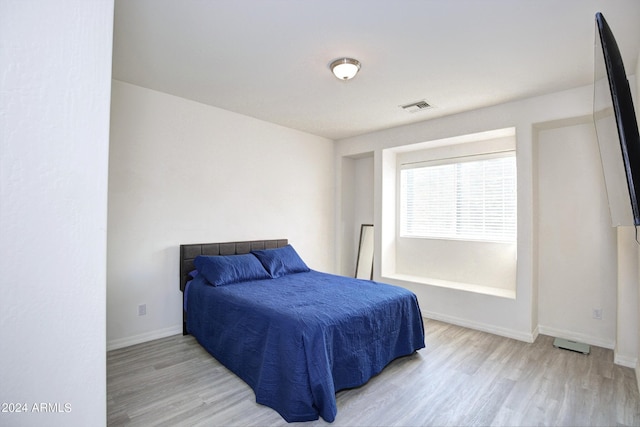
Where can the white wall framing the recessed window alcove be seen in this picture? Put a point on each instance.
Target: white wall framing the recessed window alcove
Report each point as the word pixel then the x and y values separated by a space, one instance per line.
pixel 517 317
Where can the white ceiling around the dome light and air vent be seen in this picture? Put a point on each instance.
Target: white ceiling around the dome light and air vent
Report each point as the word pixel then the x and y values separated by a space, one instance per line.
pixel 269 59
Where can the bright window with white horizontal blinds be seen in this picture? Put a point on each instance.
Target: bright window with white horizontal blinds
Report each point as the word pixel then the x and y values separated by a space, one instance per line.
pixel 465 198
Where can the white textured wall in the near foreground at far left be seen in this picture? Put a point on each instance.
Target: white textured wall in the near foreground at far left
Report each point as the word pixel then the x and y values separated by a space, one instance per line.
pixel 54 119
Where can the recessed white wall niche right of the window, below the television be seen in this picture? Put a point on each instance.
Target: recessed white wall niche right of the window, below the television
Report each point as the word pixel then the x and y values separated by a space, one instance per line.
pixel 577 245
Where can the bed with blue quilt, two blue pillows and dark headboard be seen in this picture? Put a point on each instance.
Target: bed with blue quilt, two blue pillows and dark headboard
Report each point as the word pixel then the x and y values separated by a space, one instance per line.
pixel 296 336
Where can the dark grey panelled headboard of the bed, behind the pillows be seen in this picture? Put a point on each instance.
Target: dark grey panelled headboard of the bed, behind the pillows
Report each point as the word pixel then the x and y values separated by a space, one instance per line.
pixel 190 251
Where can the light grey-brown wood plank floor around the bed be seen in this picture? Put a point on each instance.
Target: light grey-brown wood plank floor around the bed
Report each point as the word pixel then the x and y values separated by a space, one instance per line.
pixel 462 378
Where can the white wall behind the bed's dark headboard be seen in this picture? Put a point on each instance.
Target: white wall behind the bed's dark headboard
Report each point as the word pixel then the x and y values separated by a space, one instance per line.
pixel 184 172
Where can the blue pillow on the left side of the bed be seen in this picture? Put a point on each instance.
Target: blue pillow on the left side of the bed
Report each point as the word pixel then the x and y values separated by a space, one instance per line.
pixel 228 269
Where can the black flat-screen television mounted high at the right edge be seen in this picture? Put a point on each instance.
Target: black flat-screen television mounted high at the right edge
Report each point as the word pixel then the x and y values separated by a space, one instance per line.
pixel 614 111
